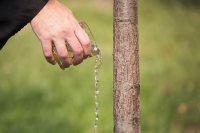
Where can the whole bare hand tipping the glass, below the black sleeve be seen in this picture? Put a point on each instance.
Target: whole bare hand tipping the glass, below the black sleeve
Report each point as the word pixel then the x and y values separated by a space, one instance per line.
pixel 55 24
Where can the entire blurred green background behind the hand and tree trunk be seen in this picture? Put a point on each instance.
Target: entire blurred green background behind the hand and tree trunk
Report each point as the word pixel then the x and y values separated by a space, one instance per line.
pixel 36 97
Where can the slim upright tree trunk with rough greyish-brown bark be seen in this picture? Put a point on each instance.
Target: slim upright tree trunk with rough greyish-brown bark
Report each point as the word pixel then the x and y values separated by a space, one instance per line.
pixel 126 68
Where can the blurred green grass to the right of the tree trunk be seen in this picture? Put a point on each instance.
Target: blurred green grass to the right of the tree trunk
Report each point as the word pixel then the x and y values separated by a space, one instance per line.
pixel 169 52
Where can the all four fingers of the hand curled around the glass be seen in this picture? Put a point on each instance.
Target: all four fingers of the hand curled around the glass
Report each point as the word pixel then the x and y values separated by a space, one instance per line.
pixel 78 42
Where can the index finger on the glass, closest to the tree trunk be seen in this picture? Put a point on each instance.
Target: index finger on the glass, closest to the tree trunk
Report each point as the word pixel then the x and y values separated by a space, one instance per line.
pixel 84 40
